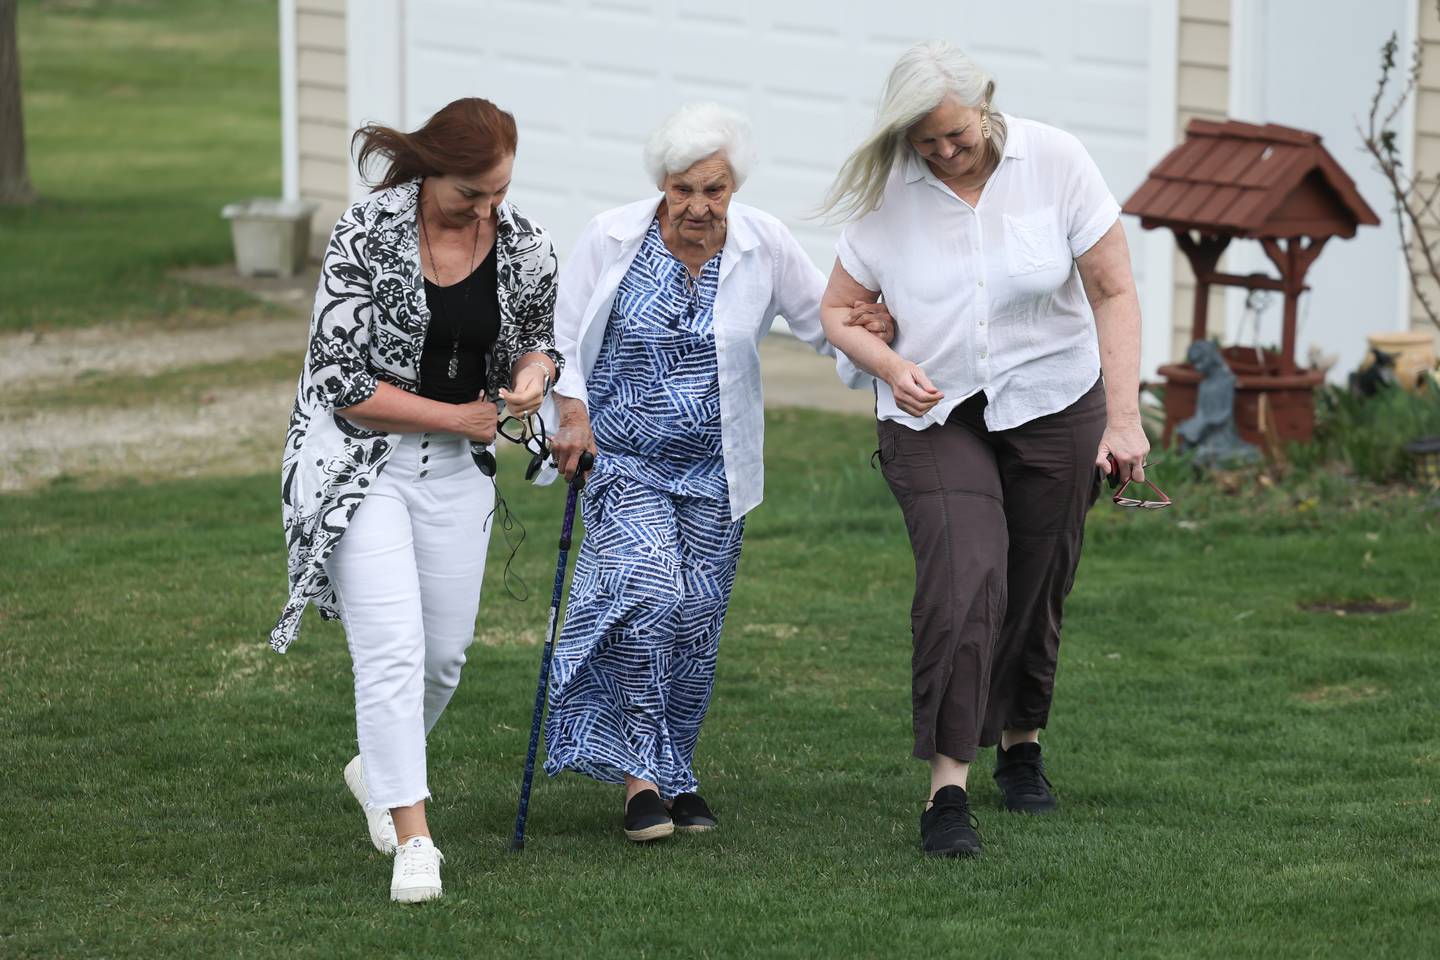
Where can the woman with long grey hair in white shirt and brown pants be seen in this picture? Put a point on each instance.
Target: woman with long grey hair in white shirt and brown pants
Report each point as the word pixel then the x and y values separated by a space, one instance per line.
pixel 999 248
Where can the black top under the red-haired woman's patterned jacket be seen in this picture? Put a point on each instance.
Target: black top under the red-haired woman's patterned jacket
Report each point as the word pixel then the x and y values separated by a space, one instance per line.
pixel 472 312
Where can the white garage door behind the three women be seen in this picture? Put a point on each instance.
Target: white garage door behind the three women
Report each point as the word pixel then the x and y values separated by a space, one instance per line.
pixel 590 78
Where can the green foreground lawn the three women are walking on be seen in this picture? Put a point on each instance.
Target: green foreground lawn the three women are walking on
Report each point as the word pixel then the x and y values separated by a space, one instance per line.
pixel 1239 778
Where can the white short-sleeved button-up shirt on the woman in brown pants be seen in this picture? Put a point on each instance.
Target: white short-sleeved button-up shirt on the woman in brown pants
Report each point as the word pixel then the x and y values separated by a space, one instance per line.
pixel 989 297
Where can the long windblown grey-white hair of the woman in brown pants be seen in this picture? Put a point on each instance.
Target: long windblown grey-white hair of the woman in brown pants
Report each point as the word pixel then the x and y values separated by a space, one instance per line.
pixel 919 83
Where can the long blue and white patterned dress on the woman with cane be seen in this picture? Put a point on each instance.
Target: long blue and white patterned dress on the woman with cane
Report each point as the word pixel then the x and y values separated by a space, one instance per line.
pixel 636 664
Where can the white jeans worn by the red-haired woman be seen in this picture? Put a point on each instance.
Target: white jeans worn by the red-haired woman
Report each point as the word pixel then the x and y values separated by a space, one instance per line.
pixel 408 574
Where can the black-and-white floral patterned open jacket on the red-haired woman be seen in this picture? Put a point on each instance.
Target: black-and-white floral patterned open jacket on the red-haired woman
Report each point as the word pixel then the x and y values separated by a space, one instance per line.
pixel 369 326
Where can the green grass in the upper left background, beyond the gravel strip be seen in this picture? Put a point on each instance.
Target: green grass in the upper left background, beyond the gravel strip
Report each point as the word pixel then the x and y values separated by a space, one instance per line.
pixel 143 119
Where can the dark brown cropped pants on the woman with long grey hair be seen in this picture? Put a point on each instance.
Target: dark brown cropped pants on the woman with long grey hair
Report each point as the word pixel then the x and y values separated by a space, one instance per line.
pixel 996 520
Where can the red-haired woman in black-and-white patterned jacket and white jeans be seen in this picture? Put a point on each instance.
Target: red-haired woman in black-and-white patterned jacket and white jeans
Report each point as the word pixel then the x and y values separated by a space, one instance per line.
pixel 436 306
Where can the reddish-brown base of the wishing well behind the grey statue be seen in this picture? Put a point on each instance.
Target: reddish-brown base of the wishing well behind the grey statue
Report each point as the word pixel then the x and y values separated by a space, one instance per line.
pixel 1287 398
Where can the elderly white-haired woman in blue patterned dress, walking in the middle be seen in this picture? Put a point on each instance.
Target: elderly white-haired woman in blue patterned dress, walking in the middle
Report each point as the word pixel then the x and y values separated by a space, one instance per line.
pixel 662 313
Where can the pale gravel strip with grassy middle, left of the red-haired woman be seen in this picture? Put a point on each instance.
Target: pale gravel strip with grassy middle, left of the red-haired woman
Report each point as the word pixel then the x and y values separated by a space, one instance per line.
pixel 148 402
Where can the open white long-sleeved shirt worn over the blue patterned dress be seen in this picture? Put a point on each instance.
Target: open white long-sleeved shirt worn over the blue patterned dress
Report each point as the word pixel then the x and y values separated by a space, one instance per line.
pixel 764 273
